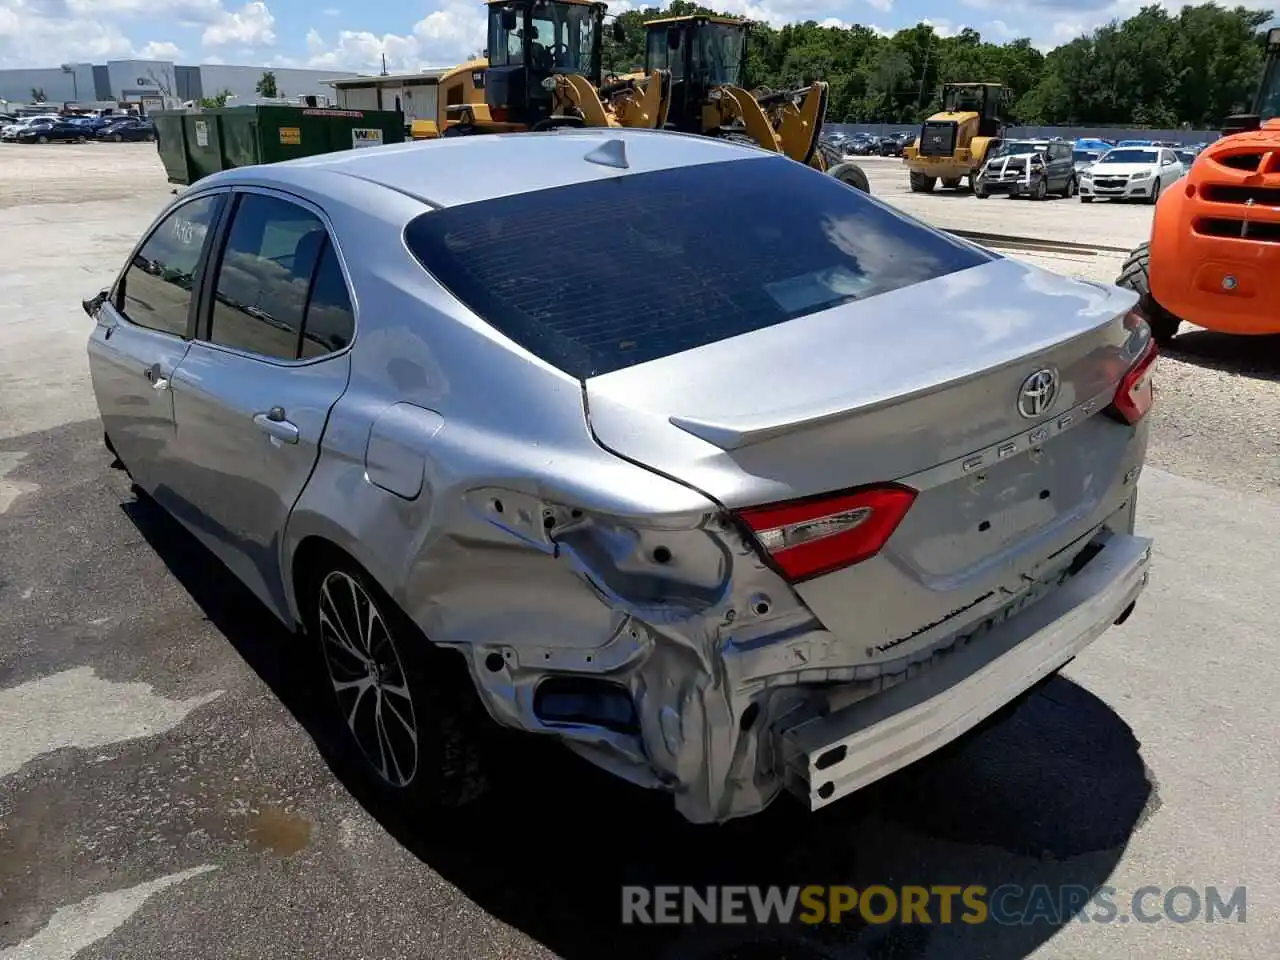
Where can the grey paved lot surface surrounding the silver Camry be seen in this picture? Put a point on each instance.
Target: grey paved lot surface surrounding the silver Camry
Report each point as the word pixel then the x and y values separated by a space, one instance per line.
pixel 171 788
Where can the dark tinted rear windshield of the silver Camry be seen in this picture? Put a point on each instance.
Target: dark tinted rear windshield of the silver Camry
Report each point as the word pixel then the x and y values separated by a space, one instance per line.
pixel 607 275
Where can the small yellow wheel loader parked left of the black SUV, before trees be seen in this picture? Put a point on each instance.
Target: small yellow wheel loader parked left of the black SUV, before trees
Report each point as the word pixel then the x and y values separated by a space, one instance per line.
pixel 954 144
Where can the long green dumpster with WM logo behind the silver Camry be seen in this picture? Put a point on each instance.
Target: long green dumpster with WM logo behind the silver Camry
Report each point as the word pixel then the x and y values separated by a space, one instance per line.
pixel 194 145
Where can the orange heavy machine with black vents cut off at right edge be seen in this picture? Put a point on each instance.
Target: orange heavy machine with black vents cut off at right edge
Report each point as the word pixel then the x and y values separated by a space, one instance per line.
pixel 1214 257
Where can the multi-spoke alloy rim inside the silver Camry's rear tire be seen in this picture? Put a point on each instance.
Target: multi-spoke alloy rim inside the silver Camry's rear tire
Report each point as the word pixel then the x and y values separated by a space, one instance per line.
pixel 368 678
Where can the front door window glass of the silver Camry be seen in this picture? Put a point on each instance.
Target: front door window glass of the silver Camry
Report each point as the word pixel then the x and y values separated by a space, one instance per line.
pixel 158 286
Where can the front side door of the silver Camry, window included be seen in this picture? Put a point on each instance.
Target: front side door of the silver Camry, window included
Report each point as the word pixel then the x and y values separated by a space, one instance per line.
pixel 143 335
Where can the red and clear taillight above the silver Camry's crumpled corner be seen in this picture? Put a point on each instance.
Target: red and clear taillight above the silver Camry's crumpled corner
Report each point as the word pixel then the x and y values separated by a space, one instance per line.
pixel 817 536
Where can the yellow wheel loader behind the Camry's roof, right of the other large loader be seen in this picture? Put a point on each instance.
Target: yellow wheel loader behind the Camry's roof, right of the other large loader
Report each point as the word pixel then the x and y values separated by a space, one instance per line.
pixel 706 57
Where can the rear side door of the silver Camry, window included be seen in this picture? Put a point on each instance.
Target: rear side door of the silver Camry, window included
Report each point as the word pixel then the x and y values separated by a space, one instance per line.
pixel 254 394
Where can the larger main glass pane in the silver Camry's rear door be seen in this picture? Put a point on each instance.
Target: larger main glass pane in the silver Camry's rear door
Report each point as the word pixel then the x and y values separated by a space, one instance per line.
pixel 266 272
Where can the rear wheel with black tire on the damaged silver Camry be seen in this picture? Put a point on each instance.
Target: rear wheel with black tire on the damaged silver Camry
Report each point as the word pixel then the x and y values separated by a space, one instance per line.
pixel 438 703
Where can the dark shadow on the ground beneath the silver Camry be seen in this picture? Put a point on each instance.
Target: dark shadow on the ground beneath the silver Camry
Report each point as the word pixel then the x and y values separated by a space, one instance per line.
pixel 1050 797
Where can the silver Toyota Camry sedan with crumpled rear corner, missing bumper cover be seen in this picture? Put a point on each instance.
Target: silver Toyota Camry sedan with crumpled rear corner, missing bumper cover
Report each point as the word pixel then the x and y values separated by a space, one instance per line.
pixel 689 541
